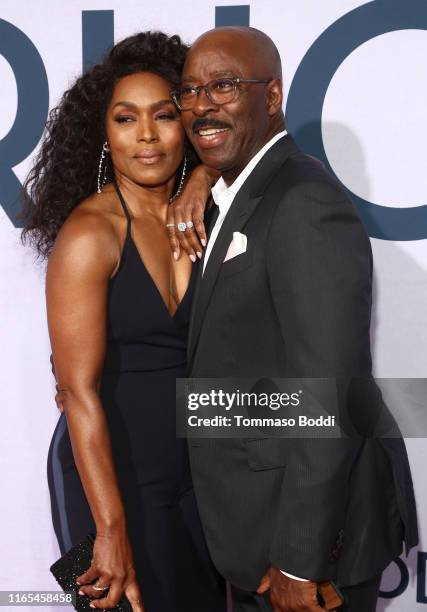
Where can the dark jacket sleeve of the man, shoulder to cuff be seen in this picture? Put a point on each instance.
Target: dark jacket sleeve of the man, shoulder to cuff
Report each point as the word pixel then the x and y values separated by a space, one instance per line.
pixel 319 268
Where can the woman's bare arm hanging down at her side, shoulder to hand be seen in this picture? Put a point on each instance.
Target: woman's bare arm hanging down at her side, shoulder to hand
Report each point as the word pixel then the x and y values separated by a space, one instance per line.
pixel 82 262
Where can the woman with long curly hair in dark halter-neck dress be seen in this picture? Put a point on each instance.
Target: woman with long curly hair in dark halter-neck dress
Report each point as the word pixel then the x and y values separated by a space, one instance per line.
pixel 118 311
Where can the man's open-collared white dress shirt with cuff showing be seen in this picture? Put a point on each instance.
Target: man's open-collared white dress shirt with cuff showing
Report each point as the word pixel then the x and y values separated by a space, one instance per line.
pixel 224 196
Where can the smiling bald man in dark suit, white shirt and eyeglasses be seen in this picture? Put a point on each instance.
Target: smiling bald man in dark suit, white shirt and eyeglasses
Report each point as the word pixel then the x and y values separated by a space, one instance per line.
pixel 282 515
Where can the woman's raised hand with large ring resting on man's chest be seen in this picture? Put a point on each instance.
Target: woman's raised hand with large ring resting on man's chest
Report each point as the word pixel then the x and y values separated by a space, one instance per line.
pixel 190 206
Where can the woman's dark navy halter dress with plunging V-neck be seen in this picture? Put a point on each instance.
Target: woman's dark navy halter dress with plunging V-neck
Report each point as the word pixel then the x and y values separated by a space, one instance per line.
pixel 146 352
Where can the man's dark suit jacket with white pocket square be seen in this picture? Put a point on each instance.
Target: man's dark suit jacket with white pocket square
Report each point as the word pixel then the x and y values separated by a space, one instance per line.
pixel 296 304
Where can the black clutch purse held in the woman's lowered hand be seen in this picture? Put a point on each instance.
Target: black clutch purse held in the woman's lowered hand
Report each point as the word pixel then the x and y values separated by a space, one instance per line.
pixel 73 564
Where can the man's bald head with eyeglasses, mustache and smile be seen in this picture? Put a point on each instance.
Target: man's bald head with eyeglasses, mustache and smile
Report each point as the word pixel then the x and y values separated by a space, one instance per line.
pixel 227 135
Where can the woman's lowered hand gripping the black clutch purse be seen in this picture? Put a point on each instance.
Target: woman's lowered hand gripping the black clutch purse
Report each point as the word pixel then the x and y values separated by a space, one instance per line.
pixel 112 566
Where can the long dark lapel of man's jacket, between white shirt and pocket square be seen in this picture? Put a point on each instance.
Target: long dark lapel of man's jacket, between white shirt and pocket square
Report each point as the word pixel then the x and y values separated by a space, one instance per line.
pixel 243 206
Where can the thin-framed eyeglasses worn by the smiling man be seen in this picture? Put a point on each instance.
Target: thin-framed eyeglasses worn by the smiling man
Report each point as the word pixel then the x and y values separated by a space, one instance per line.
pixel 218 91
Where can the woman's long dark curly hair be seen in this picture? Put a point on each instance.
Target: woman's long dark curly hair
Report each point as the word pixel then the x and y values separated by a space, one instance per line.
pixel 65 171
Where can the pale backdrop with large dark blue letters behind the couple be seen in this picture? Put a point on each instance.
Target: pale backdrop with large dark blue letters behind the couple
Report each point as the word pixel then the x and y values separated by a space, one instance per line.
pixel 356 97
